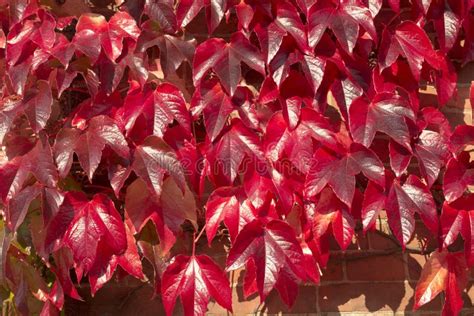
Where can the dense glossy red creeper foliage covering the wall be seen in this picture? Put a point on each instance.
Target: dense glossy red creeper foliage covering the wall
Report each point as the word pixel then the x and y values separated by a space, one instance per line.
pixel 124 139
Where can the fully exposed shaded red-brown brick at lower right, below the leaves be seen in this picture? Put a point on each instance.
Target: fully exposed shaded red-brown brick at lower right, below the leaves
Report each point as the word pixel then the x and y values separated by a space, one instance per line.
pixel 376 268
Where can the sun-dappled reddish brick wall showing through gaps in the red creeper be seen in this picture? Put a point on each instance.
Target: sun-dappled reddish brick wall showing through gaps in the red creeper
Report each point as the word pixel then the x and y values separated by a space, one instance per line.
pixel 372 277
